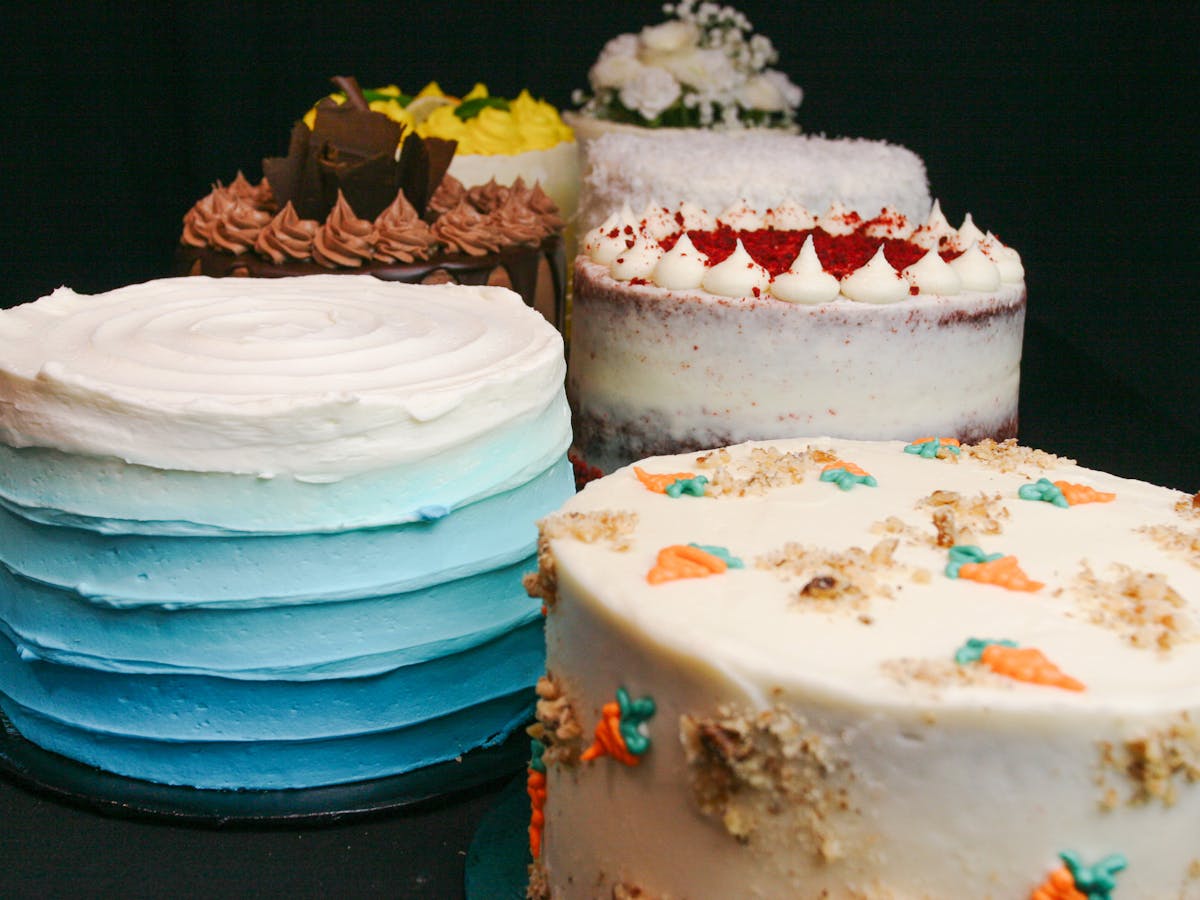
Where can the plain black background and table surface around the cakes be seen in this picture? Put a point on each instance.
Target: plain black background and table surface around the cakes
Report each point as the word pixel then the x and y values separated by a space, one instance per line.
pixel 1069 129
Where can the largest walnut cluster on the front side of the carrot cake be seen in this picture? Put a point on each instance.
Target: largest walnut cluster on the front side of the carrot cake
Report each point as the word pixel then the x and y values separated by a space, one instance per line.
pixel 748 767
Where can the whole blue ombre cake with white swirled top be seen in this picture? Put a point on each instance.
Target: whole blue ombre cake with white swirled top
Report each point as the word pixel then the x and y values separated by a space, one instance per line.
pixel 271 533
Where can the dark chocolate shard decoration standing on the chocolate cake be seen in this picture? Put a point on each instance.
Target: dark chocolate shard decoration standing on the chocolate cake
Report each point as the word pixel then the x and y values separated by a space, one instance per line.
pixel 352 149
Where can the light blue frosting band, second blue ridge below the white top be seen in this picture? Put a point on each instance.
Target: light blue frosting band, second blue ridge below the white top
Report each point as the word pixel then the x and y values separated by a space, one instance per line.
pixel 173 572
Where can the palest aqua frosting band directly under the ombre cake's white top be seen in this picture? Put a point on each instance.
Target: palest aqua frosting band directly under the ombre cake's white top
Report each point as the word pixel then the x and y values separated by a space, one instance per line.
pixel 59 489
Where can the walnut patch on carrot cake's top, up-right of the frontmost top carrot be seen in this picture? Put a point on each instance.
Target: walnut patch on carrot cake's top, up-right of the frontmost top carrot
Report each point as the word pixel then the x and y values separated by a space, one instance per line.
pixel 1142 608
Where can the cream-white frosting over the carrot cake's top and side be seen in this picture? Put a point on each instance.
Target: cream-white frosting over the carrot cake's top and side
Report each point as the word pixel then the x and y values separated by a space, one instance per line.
pixel 904 742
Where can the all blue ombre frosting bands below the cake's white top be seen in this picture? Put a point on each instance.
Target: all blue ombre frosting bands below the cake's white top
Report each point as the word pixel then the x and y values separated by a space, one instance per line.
pixel 209 657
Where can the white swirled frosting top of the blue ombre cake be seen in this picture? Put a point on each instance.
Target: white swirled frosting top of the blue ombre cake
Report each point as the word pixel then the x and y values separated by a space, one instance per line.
pixel 319 377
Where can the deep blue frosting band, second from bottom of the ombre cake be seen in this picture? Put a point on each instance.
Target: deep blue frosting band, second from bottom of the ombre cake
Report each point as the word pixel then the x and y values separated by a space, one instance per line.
pixel 173 709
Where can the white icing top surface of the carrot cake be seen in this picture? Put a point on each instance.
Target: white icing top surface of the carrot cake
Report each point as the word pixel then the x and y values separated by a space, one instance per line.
pixel 755 626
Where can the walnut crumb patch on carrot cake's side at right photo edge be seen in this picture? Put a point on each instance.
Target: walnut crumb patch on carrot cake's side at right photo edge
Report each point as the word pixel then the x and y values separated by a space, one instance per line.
pixel 1156 765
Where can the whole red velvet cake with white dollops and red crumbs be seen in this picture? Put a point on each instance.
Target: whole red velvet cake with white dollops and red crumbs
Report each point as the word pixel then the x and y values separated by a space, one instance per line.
pixel 692 331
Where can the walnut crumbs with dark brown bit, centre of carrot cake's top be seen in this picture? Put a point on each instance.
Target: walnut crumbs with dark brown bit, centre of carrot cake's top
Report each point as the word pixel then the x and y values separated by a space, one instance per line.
pixel 849 579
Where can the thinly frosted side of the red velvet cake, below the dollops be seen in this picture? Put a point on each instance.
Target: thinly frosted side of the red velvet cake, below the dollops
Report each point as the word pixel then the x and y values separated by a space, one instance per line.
pixel 669 369
